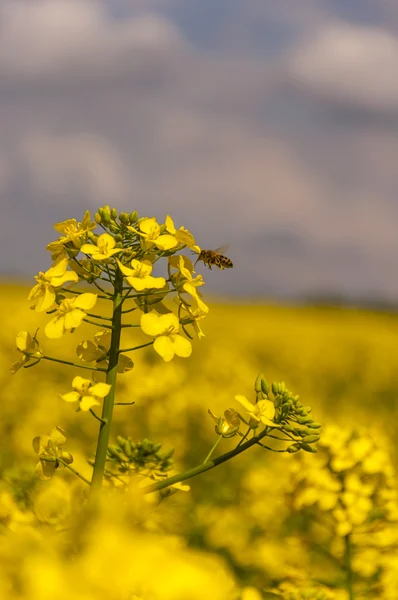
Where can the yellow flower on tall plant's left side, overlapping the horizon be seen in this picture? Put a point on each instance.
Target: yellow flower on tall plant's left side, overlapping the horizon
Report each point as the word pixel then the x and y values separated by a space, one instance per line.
pixel 42 295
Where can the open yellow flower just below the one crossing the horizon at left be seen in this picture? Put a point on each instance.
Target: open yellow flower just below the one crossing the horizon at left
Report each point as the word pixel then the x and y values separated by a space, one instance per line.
pixel 69 315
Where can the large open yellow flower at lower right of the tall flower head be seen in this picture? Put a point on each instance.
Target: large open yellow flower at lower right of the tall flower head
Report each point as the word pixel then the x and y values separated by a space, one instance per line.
pixel 165 329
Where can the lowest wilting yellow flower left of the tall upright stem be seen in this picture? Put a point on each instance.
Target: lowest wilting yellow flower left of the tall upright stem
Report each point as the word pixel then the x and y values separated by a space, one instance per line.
pixel 49 446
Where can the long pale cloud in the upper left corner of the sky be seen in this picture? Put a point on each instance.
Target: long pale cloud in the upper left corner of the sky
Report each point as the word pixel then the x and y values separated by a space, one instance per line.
pixel 51 37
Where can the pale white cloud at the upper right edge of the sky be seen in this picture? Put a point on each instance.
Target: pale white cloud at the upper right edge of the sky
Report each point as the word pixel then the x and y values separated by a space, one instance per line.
pixel 349 64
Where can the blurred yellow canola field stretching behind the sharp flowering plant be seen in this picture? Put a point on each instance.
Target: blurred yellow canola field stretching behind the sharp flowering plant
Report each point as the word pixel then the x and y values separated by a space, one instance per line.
pixel 260 526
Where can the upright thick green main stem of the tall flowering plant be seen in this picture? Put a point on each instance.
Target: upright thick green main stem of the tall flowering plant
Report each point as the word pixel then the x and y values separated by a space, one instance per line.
pixel 111 375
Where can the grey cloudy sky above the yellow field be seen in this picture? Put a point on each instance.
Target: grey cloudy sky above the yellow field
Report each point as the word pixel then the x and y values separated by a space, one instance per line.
pixel 271 126
